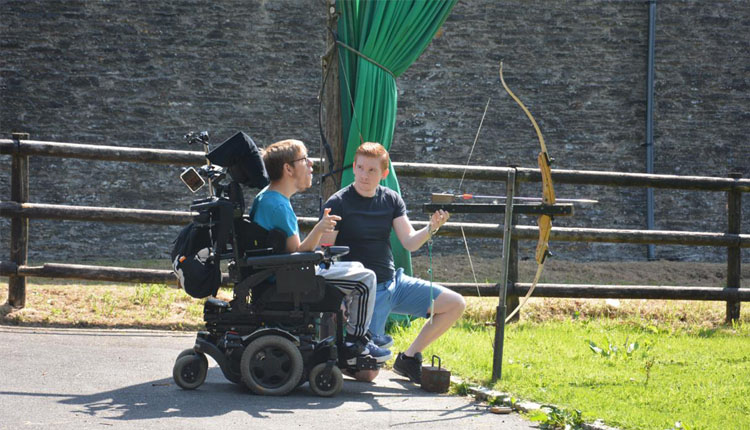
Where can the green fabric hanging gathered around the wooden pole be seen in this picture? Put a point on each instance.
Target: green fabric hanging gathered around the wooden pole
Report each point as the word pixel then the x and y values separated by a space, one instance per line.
pixel 393 34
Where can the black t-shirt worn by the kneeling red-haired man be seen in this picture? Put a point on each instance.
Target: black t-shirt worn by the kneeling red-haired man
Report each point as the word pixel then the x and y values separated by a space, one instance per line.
pixel 365 227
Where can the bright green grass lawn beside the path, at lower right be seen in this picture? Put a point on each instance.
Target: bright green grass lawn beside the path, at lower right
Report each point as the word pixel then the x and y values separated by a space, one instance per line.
pixel 700 378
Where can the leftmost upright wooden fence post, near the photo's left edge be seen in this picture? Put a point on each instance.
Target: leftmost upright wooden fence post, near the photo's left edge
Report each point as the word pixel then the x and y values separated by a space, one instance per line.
pixel 19 225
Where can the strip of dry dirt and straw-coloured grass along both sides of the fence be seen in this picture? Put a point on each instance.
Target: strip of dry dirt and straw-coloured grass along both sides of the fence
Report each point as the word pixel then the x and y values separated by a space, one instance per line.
pixel 70 303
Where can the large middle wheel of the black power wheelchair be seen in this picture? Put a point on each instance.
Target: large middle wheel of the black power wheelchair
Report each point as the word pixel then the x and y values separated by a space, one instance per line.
pixel 271 365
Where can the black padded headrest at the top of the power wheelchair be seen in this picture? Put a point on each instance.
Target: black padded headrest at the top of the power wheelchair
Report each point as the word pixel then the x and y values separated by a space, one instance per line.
pixel 242 159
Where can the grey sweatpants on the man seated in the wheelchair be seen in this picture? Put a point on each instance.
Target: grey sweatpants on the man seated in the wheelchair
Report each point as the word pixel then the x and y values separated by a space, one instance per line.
pixel 358 284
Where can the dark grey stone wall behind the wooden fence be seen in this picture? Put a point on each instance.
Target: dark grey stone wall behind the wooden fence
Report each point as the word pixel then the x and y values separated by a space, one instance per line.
pixel 144 73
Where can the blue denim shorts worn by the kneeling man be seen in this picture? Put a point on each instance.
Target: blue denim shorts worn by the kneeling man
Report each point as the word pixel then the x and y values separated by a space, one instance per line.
pixel 402 295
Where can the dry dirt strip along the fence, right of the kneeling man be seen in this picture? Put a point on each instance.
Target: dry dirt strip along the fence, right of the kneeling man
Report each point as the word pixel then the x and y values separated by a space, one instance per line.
pixel 664 313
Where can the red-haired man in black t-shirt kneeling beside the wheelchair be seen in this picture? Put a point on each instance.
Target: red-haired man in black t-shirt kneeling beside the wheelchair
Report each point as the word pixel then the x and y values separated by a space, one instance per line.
pixel 367 213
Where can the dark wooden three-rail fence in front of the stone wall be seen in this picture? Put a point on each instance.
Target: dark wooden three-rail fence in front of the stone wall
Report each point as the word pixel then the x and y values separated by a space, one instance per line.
pixel 20 211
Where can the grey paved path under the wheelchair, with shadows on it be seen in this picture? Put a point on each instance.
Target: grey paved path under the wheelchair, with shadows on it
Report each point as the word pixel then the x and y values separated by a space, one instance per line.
pixel 85 379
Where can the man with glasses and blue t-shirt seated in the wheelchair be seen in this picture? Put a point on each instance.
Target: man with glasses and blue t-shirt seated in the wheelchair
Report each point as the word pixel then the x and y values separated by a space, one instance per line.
pixel 290 172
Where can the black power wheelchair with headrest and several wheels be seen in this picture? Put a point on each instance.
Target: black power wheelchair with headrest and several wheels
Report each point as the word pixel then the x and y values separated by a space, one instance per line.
pixel 269 336
